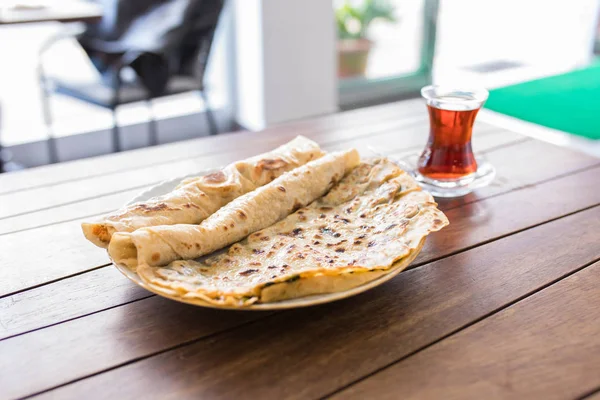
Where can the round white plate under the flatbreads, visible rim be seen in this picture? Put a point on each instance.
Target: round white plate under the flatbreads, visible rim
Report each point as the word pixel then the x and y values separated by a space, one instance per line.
pixel 167 186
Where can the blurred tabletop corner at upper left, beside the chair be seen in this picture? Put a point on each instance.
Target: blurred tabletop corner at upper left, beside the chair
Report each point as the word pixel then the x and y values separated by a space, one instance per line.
pixel 70 11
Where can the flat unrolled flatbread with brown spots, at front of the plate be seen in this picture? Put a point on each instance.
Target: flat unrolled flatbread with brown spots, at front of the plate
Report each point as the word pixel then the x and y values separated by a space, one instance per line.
pixel 374 220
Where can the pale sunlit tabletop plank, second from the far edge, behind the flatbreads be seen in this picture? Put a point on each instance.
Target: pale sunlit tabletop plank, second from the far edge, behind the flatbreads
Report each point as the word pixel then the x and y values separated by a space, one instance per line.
pixel 25 201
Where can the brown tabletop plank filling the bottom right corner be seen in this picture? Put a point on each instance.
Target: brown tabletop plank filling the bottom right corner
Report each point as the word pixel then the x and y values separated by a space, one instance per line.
pixel 544 347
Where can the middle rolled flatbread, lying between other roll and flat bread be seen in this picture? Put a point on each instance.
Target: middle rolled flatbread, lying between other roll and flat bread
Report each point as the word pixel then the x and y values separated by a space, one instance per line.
pixel 256 210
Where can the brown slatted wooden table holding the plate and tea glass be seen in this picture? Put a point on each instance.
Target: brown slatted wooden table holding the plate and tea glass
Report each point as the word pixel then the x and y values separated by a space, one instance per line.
pixel 503 303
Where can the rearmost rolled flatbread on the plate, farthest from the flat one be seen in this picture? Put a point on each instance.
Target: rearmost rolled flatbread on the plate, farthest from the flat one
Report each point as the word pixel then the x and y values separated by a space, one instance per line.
pixel 197 198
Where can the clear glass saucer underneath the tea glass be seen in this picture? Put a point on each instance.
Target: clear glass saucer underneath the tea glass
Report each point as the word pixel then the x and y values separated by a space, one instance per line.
pixel 442 188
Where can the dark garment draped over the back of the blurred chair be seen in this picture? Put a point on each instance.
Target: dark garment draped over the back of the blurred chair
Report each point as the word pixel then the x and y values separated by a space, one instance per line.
pixel 157 38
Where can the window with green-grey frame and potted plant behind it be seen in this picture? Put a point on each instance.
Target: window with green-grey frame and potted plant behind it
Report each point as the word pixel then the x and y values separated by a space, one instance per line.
pixel 385 48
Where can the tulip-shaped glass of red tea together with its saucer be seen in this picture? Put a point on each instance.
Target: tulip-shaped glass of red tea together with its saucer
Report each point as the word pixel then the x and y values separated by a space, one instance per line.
pixel 447 167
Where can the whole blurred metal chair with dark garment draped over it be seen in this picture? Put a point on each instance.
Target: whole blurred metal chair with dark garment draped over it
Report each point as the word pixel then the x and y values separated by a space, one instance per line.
pixel 165 42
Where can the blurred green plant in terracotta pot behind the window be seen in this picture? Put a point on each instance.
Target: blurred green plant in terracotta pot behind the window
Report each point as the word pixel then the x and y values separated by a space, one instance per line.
pixel 353 20
